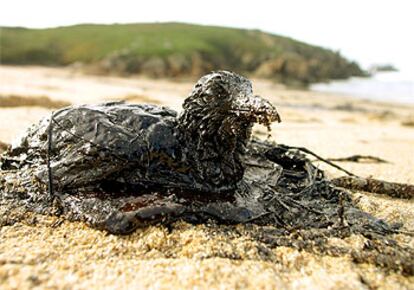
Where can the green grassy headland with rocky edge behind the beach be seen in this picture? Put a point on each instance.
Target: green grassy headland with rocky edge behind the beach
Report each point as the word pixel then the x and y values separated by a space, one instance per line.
pixel 173 49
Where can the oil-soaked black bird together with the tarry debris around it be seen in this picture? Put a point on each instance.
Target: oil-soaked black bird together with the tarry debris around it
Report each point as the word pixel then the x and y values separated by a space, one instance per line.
pixel 198 166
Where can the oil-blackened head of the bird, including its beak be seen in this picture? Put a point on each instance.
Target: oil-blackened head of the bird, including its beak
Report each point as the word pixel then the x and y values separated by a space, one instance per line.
pixel 225 101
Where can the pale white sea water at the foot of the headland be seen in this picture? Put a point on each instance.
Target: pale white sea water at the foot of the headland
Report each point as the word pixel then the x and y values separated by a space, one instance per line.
pixel 397 87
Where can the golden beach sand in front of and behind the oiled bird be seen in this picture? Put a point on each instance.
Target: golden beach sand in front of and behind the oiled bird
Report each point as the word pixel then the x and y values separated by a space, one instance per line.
pixel 46 252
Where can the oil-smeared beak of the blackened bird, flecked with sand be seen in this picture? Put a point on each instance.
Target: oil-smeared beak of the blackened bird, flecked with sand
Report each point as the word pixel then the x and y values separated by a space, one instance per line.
pixel 256 109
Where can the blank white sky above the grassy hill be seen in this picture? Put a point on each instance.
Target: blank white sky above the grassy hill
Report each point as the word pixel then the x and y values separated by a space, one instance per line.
pixel 363 30
